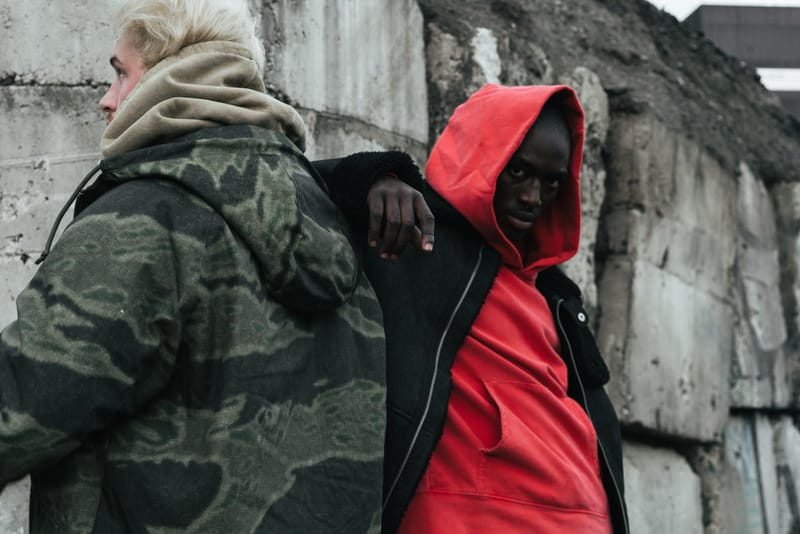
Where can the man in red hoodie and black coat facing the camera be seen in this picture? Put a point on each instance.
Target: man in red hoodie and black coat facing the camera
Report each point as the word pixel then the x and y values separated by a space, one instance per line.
pixel 498 421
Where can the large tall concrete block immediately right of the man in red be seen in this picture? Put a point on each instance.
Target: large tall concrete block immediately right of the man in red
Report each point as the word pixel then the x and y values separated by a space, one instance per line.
pixel 666 322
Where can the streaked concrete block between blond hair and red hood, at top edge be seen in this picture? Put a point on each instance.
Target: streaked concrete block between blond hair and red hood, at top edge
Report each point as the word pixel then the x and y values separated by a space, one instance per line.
pixel 316 55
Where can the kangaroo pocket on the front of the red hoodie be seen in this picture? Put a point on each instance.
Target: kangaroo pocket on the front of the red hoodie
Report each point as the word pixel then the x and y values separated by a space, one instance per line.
pixel 547 451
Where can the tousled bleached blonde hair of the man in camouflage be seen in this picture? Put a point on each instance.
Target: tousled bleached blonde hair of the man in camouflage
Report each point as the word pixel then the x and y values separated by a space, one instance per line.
pixel 160 28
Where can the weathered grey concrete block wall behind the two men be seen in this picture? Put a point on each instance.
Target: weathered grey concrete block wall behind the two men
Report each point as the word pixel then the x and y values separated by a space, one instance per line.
pixel 691 268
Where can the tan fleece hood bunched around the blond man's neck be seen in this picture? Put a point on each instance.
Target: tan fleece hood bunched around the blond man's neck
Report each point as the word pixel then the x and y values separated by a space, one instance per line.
pixel 208 84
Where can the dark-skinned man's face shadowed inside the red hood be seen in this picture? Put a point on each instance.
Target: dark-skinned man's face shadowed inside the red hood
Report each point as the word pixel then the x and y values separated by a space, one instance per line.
pixel 532 178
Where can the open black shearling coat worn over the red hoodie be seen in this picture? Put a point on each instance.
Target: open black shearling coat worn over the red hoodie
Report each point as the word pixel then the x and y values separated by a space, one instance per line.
pixel 427 317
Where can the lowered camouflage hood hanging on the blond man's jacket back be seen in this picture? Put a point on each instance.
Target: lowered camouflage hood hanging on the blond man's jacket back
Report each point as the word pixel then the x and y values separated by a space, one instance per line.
pixel 265 189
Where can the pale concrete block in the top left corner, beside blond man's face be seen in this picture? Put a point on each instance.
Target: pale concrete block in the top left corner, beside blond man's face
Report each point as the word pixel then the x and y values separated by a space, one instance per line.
pixel 55 42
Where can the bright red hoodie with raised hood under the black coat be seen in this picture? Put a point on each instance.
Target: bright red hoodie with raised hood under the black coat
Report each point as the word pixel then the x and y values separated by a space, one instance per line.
pixel 516 454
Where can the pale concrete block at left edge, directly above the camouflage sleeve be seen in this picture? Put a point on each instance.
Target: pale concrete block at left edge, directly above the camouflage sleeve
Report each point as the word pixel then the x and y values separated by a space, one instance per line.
pixel 49 141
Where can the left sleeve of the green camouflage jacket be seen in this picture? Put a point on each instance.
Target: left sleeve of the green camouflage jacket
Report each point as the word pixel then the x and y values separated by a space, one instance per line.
pixel 95 338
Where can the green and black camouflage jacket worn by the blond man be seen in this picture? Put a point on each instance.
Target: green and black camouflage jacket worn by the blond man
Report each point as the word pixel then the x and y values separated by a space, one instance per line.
pixel 199 353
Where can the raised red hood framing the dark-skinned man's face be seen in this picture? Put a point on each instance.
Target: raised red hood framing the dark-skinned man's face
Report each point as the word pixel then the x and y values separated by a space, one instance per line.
pixel 475 146
